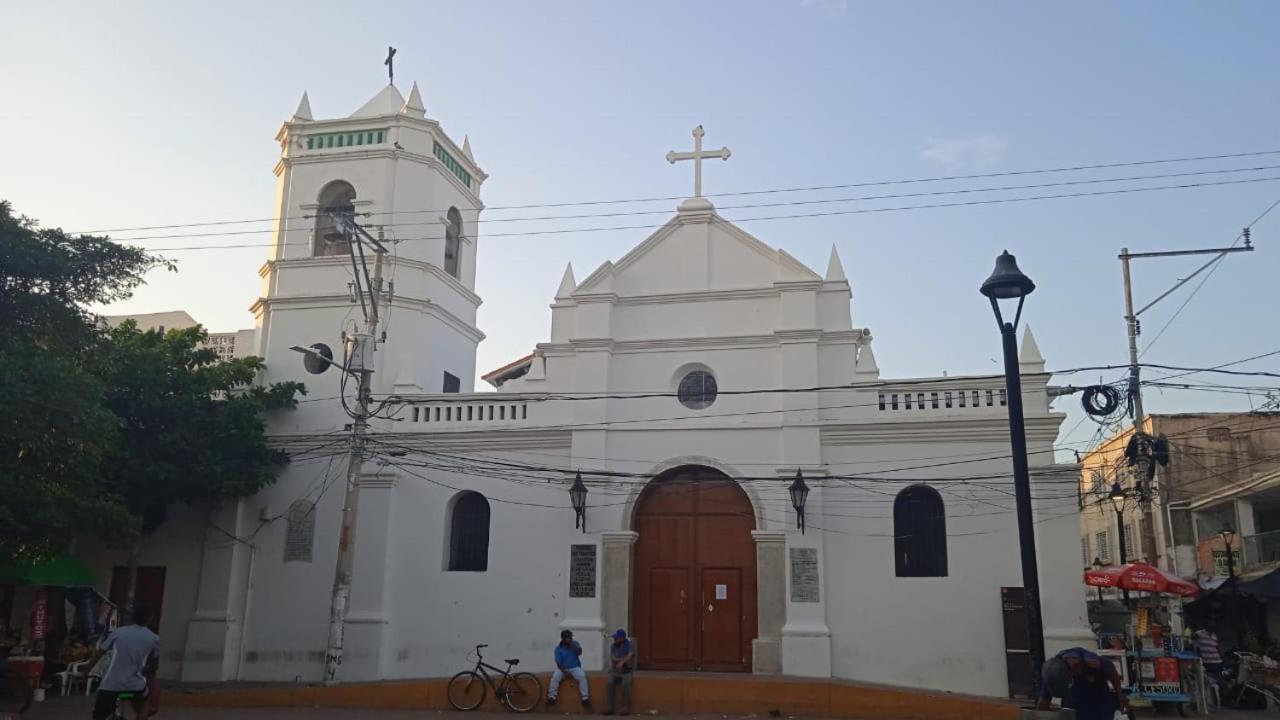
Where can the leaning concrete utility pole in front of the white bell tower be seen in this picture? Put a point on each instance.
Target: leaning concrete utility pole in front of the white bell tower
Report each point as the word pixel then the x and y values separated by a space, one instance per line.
pixel 360 362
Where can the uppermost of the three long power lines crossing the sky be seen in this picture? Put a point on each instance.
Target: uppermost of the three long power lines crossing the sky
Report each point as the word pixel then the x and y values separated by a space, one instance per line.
pixel 752 193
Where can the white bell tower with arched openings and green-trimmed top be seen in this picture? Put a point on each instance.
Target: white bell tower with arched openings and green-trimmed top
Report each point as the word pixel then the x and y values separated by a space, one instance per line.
pixel 399 172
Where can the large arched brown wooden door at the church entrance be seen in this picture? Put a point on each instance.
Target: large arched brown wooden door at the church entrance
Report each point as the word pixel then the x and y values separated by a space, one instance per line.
pixel 694 573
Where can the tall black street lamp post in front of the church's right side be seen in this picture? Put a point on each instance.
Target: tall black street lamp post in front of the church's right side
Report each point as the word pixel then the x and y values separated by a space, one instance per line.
pixel 1009 284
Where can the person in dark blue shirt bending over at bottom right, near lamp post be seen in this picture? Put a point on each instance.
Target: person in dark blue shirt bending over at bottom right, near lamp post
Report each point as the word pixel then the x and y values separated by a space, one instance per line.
pixel 1082 680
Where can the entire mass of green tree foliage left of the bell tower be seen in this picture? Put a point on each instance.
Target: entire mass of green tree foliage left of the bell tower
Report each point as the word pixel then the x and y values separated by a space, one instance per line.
pixel 102 430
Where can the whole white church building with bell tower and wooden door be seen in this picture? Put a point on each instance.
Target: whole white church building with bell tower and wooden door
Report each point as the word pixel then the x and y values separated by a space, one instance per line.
pixel 660 384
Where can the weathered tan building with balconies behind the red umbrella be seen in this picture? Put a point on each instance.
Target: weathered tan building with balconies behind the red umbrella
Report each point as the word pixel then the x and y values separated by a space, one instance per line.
pixel 1218 470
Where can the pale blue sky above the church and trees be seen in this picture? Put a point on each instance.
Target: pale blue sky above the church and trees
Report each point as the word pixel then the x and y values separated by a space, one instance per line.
pixel 147 113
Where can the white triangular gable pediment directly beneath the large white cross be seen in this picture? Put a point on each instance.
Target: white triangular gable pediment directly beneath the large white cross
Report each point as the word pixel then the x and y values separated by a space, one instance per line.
pixel 697 252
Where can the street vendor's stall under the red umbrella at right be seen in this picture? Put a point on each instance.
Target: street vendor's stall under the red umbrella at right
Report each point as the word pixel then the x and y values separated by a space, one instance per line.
pixel 1155 667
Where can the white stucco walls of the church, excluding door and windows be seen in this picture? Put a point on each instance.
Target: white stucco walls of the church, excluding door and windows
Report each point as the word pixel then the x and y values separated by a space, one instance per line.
pixel 700 294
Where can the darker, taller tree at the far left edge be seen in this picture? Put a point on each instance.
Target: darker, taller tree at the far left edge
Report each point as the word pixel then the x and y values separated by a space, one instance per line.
pixel 56 431
